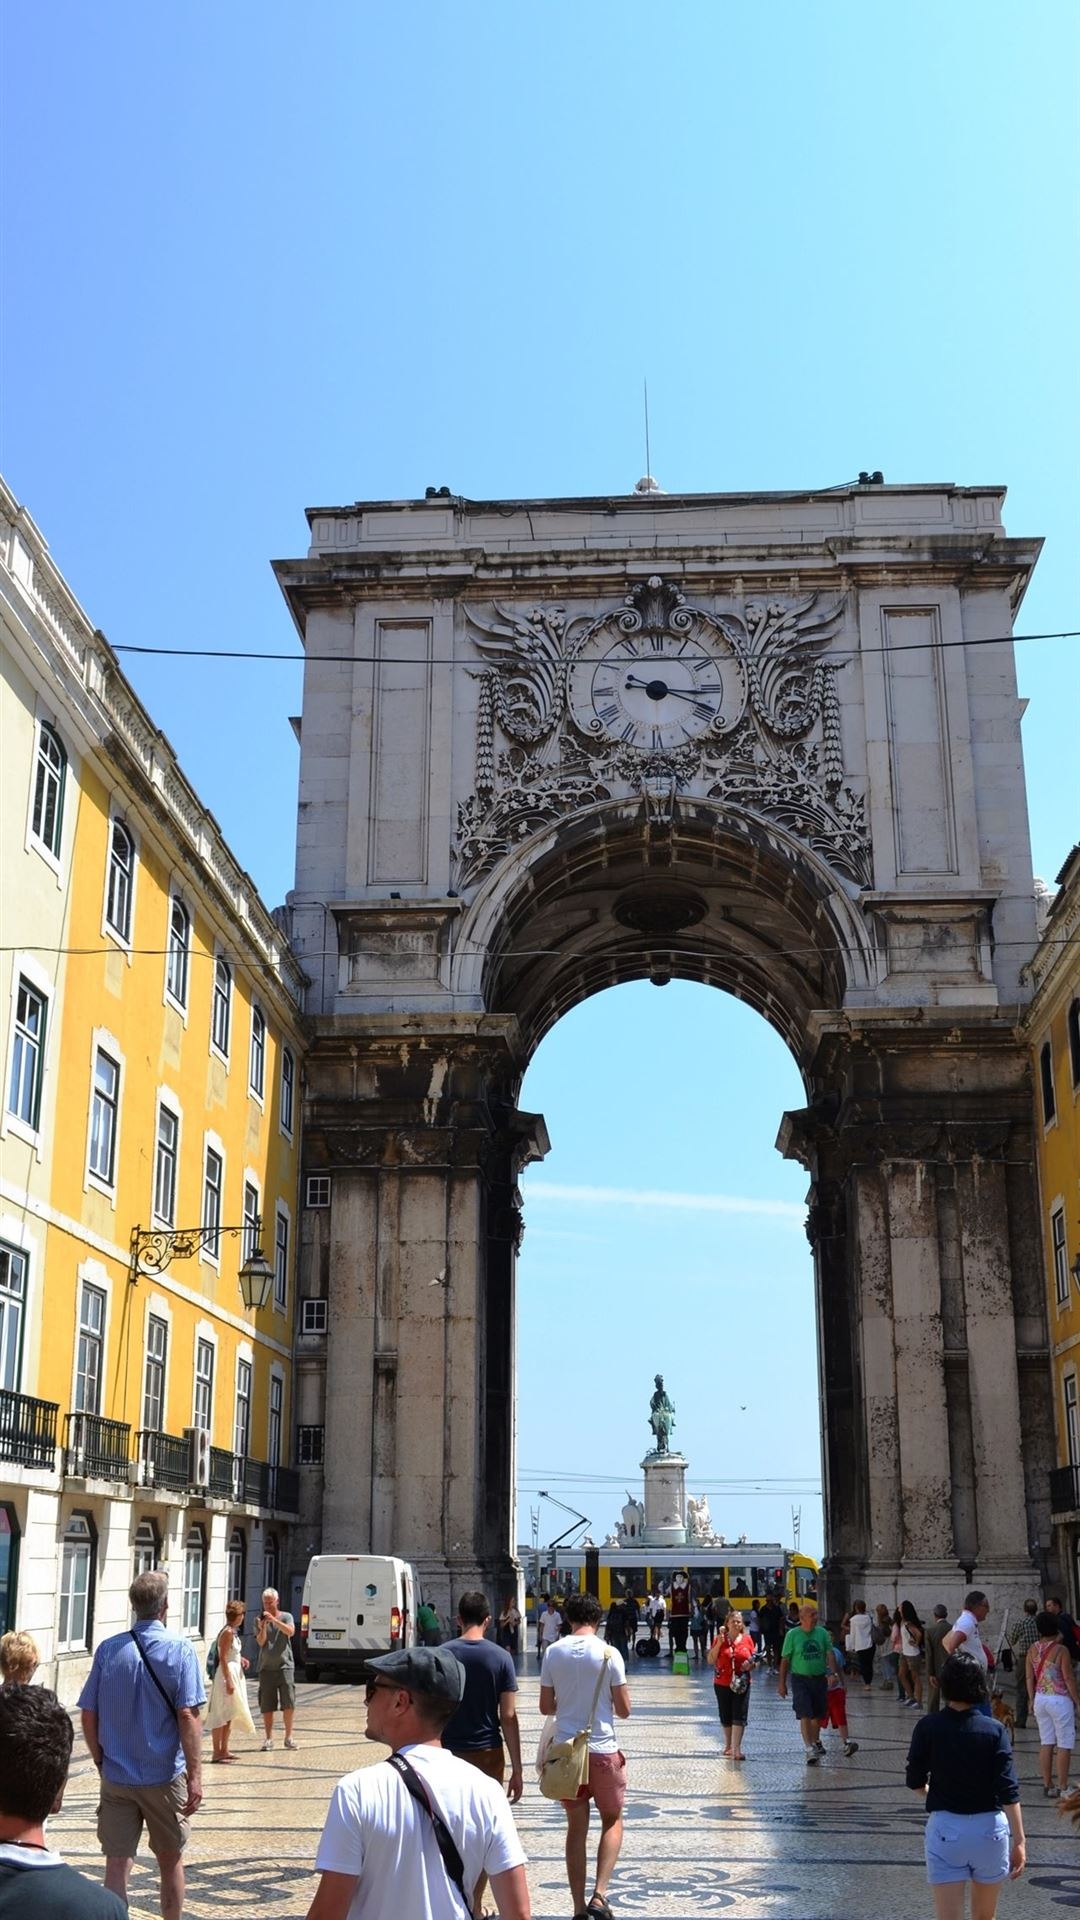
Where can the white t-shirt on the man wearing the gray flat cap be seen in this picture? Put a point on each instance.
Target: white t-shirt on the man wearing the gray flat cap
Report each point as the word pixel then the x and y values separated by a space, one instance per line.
pixel 378 1831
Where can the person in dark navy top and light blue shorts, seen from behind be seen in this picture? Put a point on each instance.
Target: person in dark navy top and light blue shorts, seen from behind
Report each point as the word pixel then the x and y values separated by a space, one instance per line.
pixel 962 1760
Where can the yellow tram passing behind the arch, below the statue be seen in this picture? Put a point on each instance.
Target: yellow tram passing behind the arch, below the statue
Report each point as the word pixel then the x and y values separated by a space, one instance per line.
pixel 743 1573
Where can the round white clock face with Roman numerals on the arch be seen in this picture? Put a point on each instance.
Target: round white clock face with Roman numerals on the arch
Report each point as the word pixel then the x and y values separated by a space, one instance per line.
pixel 656 690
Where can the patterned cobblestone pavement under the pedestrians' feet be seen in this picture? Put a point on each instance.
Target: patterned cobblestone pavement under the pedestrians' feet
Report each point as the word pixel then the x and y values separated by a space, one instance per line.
pixel 772 1840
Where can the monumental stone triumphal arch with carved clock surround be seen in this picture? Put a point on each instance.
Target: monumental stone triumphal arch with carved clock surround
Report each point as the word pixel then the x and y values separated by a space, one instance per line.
pixel 766 742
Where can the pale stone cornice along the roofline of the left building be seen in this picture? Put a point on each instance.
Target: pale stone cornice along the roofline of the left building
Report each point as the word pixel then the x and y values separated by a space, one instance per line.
pixel 84 663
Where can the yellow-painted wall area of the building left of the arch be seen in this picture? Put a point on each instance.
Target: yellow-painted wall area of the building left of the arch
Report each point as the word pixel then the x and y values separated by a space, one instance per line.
pixel 118 1005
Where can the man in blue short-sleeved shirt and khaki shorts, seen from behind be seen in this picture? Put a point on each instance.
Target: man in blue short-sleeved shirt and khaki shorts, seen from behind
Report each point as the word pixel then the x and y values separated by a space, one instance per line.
pixel 145 1735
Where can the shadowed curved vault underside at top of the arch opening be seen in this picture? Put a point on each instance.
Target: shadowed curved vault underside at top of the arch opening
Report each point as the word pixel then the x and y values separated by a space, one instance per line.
pixel 710 898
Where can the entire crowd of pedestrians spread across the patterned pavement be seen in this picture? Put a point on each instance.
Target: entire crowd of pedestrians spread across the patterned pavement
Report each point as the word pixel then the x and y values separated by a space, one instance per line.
pixel 431 1840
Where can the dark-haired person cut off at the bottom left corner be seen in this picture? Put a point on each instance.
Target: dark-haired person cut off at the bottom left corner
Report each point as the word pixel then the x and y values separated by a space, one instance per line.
pixel 36 1752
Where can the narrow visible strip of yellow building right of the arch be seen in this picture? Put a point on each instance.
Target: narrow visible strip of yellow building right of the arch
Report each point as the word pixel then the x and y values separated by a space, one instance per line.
pixel 1054 1024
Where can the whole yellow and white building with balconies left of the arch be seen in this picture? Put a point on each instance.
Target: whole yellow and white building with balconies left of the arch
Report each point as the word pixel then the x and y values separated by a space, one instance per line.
pixel 149 1159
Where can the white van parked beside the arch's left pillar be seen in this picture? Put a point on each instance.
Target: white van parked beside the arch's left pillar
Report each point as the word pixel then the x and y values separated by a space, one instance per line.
pixel 356 1606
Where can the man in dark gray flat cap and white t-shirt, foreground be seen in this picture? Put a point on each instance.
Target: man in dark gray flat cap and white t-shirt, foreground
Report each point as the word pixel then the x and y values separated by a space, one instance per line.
pixel 414 1836
